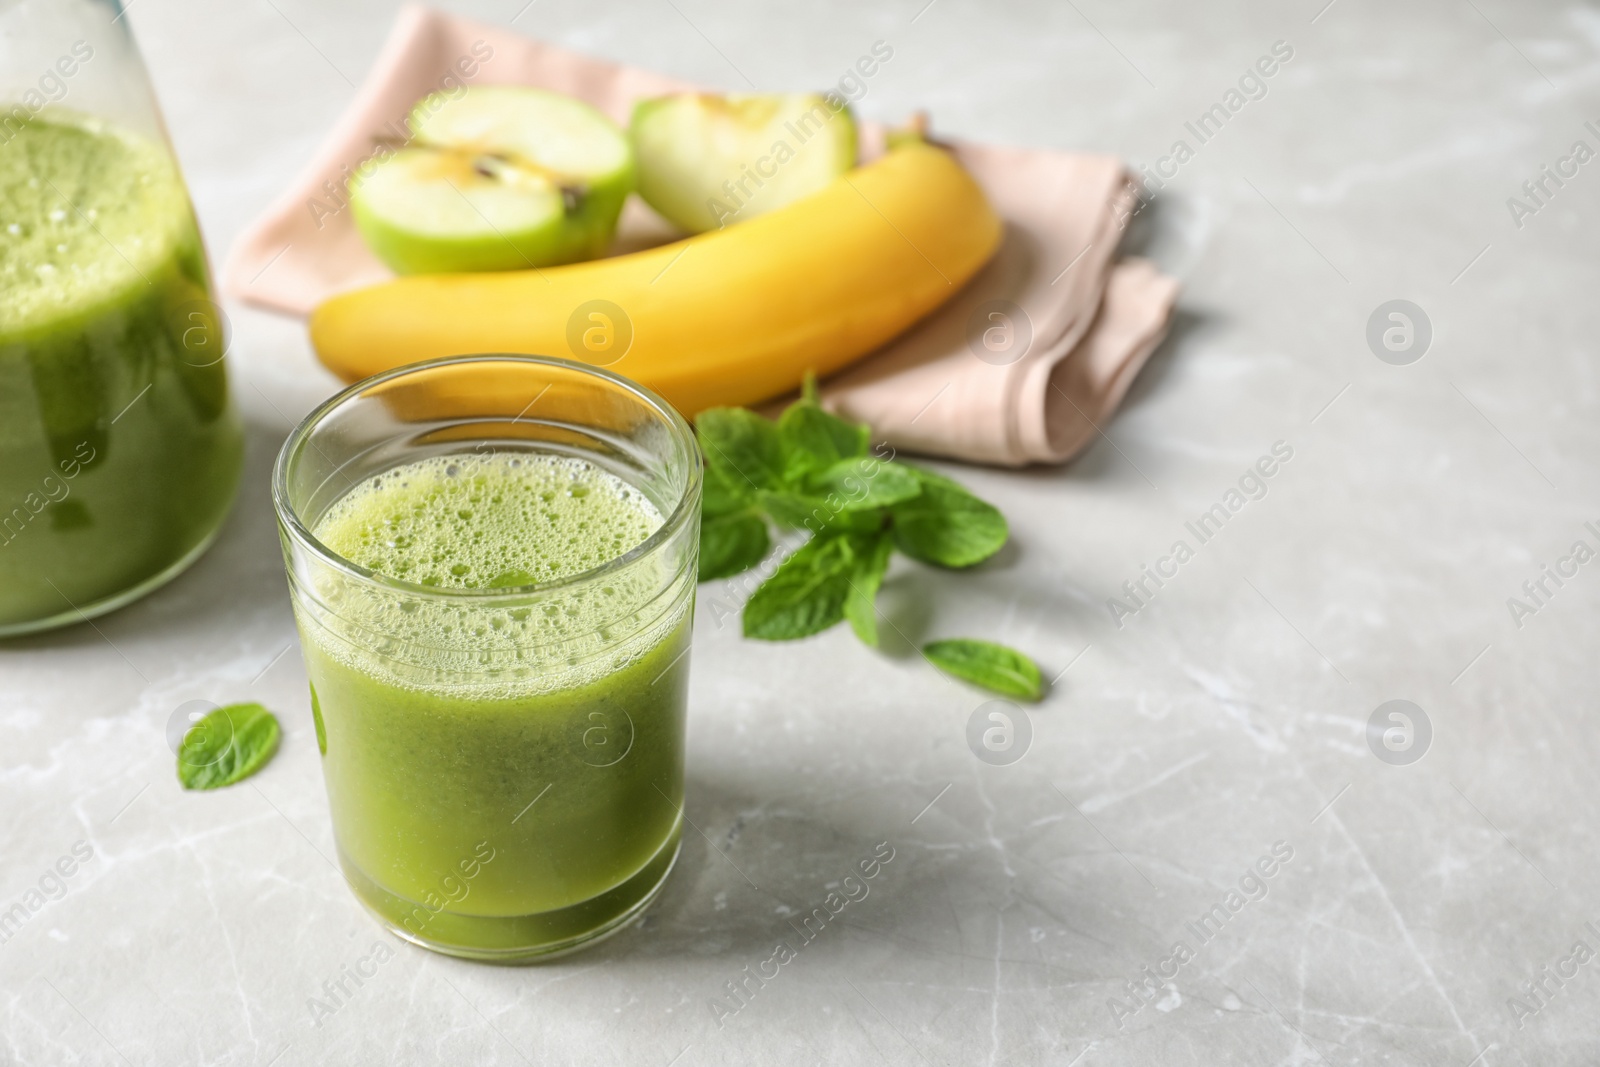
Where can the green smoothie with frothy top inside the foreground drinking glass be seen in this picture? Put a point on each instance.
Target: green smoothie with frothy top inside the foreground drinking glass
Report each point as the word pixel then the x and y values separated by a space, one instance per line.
pixel 505 772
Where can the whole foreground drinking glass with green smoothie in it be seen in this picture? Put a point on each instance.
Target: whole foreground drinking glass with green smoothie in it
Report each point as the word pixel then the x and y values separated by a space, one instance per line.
pixel 492 564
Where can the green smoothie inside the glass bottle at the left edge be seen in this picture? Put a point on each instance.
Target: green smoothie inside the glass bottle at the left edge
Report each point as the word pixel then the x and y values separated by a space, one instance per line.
pixel 119 446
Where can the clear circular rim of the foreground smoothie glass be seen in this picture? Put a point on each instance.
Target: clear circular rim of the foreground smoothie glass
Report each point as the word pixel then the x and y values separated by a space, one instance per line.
pixel 290 521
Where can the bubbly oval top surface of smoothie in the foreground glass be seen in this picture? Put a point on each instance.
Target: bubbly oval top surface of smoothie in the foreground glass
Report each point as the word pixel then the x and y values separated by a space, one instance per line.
pixel 489 522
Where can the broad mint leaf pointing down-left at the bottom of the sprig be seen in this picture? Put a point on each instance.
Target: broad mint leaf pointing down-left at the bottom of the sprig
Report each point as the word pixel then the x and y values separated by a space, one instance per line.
pixel 807 593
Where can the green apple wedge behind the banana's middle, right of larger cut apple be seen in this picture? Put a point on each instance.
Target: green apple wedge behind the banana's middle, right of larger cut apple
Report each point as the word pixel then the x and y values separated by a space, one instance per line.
pixel 706 161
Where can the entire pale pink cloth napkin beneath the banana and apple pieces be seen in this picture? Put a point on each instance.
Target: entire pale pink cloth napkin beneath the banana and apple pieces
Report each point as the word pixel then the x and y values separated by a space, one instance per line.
pixel 1023 366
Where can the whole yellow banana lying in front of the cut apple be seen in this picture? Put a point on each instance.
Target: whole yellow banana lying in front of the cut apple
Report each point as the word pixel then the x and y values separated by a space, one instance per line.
pixel 729 318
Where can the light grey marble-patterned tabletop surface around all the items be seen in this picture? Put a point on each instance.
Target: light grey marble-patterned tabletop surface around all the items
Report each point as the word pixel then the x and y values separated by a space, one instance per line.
pixel 1174 753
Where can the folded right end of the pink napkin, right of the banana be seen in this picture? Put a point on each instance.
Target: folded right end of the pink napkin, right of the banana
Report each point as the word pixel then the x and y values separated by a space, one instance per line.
pixel 1018 367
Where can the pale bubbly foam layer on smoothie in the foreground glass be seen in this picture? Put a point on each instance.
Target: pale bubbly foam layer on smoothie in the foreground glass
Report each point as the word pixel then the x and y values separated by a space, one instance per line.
pixel 503 521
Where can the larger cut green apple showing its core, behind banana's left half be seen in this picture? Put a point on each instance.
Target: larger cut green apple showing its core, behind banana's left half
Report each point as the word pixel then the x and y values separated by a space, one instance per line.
pixel 497 178
